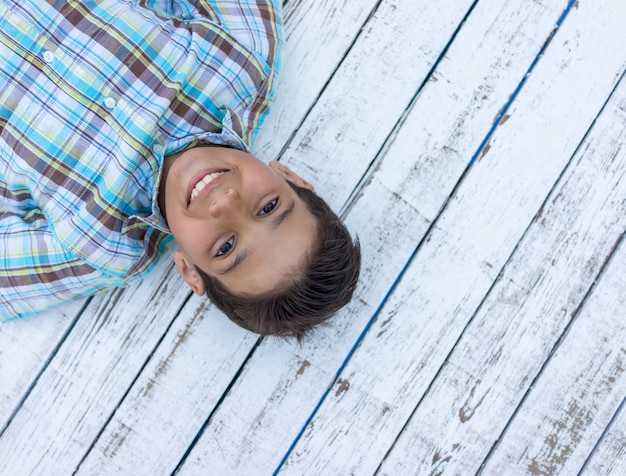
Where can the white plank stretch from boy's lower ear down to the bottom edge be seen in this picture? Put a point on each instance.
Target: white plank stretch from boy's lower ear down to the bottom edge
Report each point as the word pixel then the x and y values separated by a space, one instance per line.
pixel 170 401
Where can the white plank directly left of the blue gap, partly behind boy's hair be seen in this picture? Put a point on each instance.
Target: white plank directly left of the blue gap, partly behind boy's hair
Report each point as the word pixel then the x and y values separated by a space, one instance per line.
pixel 265 408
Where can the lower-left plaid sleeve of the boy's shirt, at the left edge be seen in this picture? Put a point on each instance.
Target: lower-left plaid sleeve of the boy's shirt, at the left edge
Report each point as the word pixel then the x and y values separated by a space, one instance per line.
pixel 36 273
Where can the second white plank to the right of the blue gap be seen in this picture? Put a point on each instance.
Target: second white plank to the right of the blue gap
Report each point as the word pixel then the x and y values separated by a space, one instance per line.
pixel 491 368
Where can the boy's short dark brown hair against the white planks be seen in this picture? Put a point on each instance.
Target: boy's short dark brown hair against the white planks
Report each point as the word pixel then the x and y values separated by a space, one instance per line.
pixel 324 285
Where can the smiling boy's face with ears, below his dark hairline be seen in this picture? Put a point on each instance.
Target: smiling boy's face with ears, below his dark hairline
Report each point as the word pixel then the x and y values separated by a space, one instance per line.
pixel 234 217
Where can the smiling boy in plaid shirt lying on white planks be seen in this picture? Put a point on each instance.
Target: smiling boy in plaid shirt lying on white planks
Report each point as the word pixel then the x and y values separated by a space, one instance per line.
pixel 123 124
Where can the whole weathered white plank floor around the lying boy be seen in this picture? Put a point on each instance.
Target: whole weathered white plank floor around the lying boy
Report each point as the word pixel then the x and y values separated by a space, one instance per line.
pixel 478 149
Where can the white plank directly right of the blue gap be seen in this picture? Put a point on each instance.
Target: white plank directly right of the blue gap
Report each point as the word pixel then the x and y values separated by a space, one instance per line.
pixel 457 265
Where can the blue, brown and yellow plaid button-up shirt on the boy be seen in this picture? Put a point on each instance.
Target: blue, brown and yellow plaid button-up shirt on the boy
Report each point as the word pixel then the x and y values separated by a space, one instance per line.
pixel 92 96
